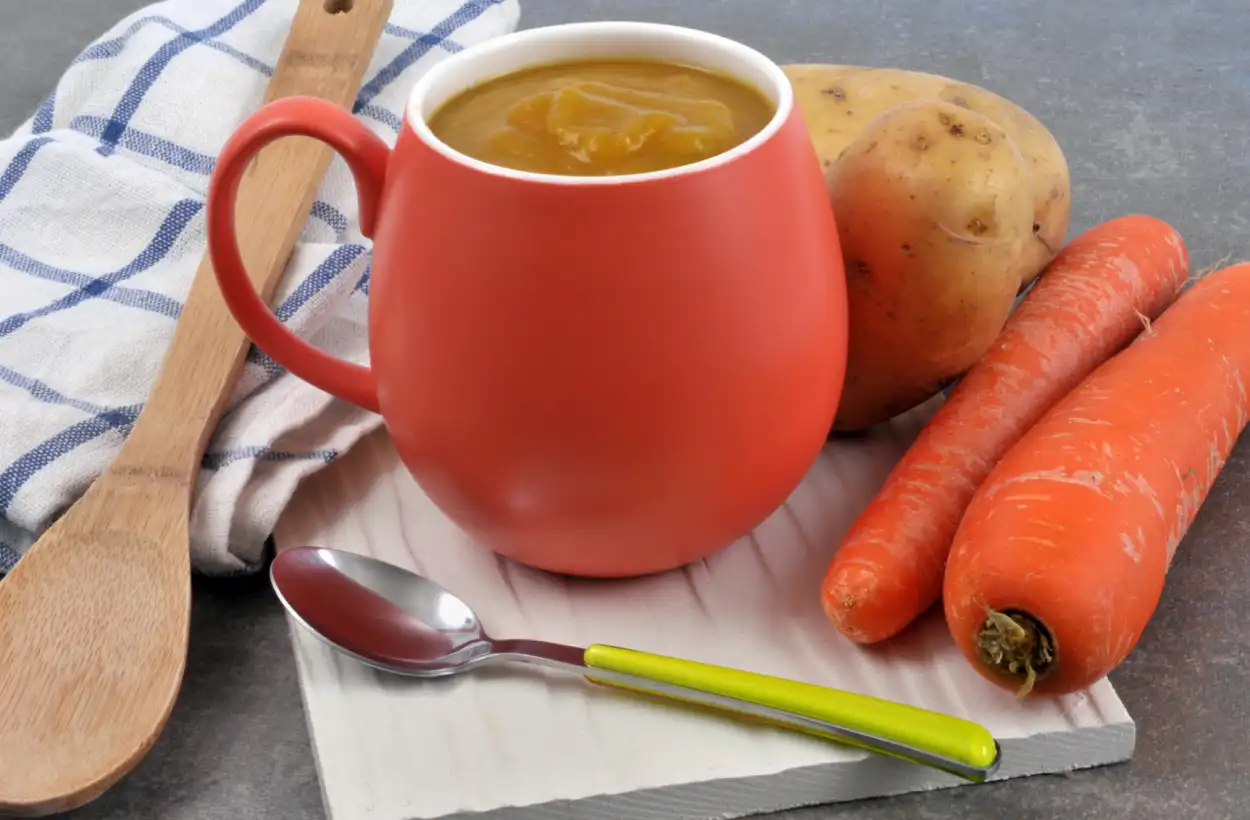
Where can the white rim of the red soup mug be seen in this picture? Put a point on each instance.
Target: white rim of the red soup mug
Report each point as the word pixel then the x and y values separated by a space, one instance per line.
pixel 538 41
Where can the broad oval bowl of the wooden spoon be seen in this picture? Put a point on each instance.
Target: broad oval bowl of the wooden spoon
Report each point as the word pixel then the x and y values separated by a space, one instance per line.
pixel 94 627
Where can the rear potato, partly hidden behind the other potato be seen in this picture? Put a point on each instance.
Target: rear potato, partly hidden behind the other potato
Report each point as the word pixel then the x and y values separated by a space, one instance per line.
pixel 838 102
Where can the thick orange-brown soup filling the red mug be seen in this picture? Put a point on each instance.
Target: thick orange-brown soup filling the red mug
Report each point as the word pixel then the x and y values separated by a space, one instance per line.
pixel 602 118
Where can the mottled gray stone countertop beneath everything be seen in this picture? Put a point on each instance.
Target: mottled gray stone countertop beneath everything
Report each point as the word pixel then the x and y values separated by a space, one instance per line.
pixel 1151 101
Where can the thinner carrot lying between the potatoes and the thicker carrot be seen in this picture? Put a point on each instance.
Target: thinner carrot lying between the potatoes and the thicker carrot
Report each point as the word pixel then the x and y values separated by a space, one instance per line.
pixel 1089 304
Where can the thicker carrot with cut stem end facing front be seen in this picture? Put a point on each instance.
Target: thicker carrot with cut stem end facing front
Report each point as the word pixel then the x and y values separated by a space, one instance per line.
pixel 1061 559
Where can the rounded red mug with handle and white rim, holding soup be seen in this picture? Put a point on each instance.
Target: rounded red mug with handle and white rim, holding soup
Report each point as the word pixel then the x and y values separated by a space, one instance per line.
pixel 593 376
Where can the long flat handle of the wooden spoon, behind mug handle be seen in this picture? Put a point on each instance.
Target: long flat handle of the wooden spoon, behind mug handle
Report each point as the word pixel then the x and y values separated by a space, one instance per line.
pixel 327 53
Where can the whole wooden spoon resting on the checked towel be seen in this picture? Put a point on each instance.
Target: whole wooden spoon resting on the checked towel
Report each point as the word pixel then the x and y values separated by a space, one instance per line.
pixel 94 619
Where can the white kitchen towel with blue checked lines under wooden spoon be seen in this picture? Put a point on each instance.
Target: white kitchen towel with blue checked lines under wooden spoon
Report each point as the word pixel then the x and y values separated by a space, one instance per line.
pixel 102 228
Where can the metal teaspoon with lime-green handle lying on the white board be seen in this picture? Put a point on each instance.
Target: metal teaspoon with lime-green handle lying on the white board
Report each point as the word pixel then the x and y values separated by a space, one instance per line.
pixel 399 622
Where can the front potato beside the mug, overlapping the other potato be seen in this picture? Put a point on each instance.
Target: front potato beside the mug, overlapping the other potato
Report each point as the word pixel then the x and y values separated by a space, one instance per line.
pixel 934 213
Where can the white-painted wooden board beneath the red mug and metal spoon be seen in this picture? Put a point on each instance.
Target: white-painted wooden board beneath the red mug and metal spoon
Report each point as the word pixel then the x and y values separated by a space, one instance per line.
pixel 528 744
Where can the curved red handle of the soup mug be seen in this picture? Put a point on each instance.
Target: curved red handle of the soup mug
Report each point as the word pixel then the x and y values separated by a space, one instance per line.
pixel 367 156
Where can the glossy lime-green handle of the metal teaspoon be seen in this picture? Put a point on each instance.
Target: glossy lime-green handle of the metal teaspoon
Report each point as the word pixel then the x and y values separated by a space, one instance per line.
pixel 952 744
